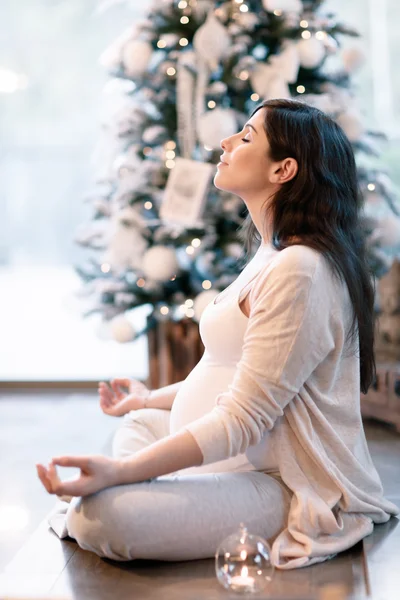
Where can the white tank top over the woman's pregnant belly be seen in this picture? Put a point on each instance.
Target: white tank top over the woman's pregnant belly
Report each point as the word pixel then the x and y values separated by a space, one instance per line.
pixel 222 327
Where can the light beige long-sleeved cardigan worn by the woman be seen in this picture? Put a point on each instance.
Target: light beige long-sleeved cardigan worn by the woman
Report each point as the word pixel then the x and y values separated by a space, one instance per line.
pixel 295 379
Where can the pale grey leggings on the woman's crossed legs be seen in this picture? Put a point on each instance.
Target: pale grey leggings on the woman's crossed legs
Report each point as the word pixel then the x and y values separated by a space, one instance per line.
pixel 174 517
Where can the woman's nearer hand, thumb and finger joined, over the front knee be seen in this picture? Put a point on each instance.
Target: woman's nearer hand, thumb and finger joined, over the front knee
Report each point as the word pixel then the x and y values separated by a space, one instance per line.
pixel 97 473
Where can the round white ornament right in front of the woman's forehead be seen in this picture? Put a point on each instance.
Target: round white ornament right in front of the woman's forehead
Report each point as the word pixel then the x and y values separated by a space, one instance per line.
pixel 215 125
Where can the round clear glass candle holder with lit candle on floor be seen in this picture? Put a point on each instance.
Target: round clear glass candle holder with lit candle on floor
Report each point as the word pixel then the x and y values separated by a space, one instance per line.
pixel 243 562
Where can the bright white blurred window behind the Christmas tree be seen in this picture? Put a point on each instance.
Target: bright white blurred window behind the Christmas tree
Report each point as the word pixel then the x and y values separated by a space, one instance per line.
pixel 51 86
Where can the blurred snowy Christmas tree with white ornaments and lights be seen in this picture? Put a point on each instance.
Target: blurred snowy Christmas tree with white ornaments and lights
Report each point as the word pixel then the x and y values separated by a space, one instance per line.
pixel 184 78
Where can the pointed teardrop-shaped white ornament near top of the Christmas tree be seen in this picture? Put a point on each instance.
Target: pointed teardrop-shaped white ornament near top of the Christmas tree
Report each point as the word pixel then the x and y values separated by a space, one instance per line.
pixel 211 41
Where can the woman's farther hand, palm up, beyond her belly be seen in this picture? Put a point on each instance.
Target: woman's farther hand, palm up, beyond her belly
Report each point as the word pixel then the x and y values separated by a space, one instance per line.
pixel 116 402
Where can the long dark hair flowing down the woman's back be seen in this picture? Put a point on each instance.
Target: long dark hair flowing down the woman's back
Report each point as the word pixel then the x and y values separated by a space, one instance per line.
pixel 320 207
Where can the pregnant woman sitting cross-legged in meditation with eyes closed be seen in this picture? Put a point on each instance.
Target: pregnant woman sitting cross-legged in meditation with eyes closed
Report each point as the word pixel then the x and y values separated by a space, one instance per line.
pixel 267 427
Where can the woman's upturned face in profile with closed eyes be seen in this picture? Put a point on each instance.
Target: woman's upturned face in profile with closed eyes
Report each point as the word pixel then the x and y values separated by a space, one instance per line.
pixel 246 166
